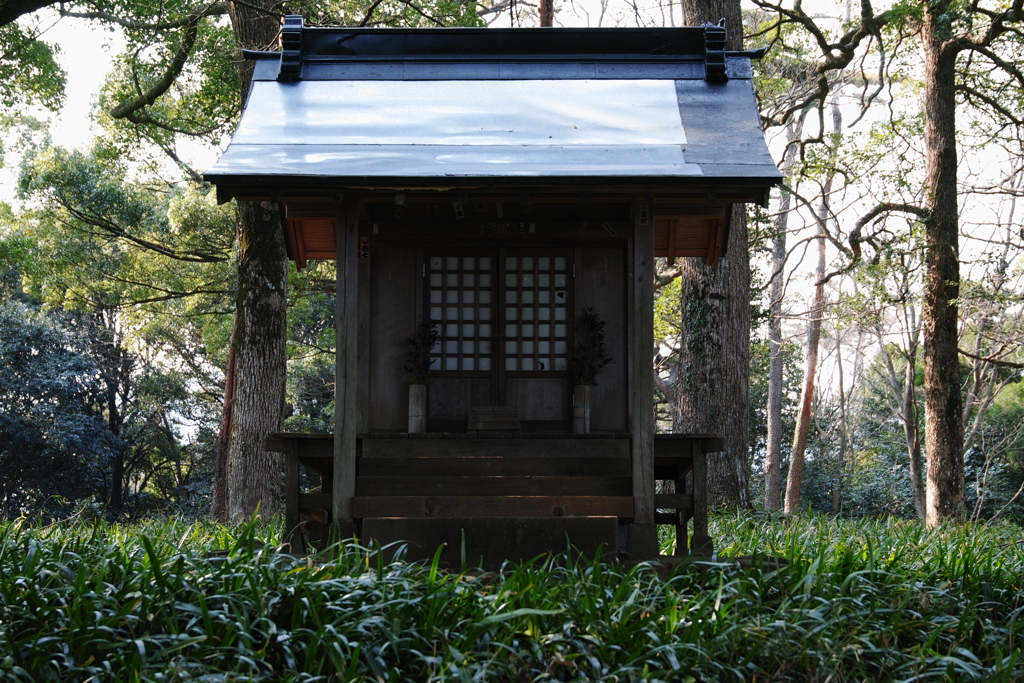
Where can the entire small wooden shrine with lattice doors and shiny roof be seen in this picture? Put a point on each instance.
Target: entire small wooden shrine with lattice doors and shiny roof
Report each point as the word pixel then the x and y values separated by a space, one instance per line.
pixel 499 183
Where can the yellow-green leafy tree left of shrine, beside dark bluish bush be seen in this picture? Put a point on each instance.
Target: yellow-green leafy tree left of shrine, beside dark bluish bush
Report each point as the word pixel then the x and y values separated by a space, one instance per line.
pixel 148 269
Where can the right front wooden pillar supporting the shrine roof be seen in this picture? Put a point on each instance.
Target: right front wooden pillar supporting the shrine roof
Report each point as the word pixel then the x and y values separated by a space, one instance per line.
pixel 644 534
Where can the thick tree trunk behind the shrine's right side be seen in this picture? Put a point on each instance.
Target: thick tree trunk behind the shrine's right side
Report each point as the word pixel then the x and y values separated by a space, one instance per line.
pixel 714 382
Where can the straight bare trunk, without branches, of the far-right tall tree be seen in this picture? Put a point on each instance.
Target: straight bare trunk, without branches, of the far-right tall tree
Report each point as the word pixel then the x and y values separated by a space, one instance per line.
pixel 944 404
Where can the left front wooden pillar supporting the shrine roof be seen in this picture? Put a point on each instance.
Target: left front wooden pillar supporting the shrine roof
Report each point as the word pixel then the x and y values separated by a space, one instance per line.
pixel 347 416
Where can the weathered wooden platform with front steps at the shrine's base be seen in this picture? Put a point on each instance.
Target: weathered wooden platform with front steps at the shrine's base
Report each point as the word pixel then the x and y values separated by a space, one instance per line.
pixel 464 477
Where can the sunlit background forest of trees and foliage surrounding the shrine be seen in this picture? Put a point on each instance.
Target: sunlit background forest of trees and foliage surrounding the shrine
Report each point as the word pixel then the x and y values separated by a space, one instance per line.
pixel 120 276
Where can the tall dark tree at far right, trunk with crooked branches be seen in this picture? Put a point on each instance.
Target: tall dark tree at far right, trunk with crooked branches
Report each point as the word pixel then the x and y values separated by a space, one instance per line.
pixel 947 32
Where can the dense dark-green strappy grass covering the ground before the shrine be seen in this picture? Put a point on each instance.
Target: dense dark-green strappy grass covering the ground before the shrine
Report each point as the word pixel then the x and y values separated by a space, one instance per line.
pixel 860 601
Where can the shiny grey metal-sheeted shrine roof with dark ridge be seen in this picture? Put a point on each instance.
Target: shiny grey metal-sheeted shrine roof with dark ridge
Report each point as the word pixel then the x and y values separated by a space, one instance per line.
pixel 464 108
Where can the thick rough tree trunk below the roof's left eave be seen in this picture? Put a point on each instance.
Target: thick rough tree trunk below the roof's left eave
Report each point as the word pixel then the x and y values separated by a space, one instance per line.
pixel 254 476
